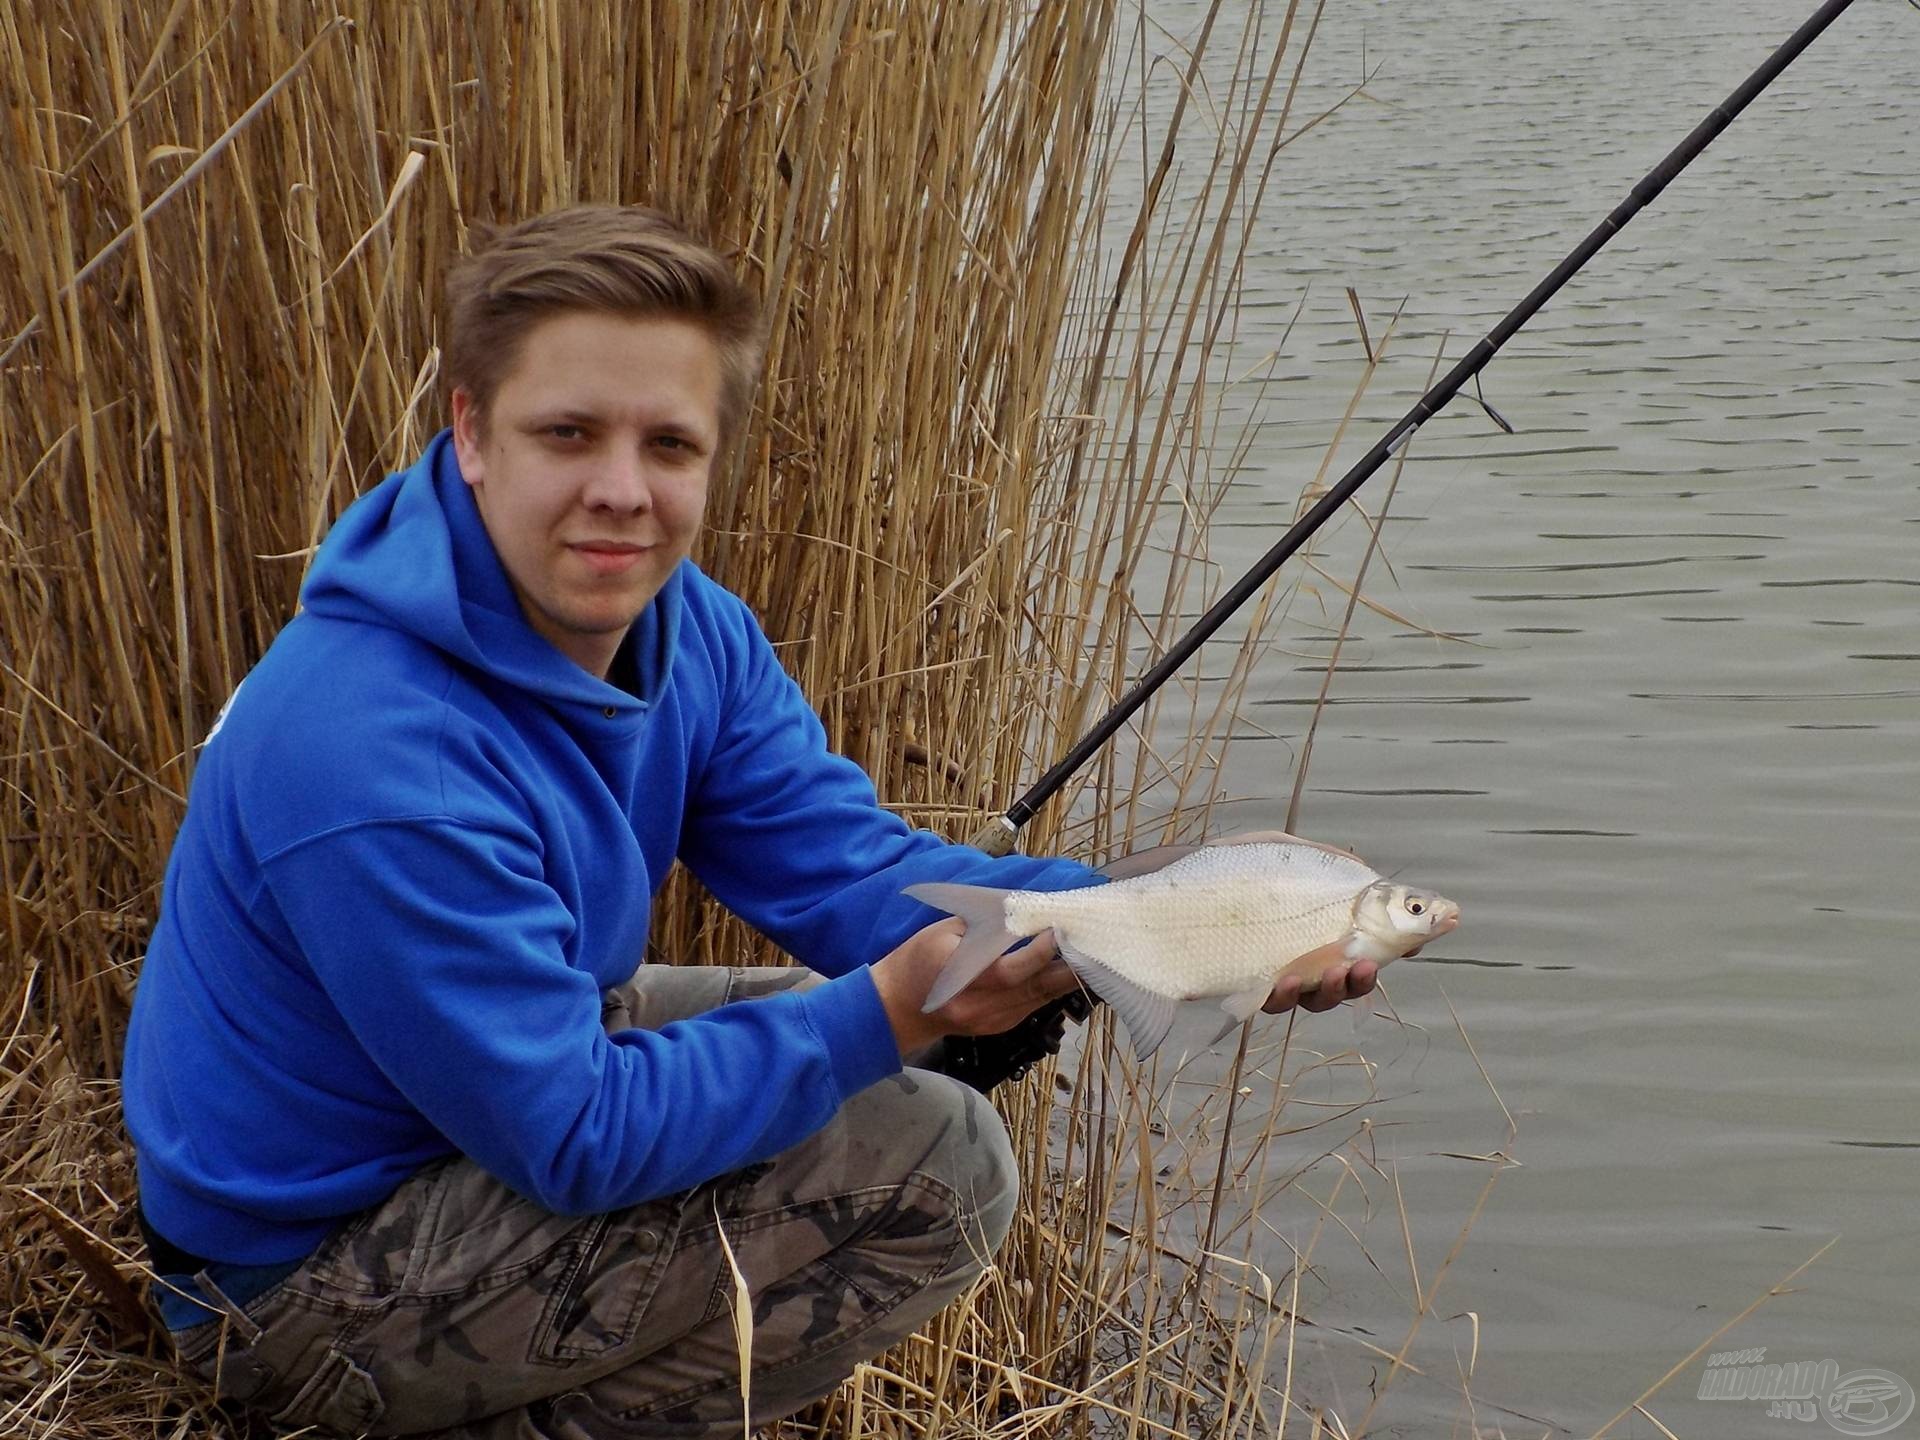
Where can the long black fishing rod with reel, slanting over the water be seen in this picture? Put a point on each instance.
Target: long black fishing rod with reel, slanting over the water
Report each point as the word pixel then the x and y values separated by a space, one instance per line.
pixel 1020 1047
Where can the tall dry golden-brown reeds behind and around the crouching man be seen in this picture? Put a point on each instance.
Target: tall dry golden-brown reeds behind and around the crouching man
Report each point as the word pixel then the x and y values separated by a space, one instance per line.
pixel 978 481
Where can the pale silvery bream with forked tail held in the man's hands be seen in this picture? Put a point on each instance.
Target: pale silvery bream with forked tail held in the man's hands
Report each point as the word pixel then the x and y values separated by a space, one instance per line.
pixel 1226 921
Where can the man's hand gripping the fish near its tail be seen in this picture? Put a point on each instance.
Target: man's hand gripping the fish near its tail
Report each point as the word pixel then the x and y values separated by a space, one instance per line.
pixel 1011 990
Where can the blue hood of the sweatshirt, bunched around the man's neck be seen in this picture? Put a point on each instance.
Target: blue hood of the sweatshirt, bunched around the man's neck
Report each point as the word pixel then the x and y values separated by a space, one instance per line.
pixel 414 556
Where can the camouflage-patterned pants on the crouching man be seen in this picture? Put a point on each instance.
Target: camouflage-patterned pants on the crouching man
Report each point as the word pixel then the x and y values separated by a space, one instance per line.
pixel 458 1308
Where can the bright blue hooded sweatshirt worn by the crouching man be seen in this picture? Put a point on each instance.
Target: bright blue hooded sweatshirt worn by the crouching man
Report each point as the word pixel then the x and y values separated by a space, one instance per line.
pixel 421 844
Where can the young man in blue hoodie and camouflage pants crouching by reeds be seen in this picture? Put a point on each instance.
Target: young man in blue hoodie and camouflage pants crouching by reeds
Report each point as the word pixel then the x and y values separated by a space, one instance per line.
pixel 420 1149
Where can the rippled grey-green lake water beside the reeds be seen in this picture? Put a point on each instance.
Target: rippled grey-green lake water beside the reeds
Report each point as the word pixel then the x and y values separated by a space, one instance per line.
pixel 1675 777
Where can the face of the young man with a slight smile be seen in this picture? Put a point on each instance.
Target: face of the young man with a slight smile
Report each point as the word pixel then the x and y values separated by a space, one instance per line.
pixel 592 469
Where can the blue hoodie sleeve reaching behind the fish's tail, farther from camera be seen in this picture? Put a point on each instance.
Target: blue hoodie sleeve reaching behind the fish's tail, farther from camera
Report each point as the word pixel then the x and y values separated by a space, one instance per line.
pixel 794 838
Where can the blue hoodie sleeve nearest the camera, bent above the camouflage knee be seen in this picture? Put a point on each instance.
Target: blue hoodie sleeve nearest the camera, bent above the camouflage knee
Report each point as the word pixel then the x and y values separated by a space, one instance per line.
pixel 443 949
